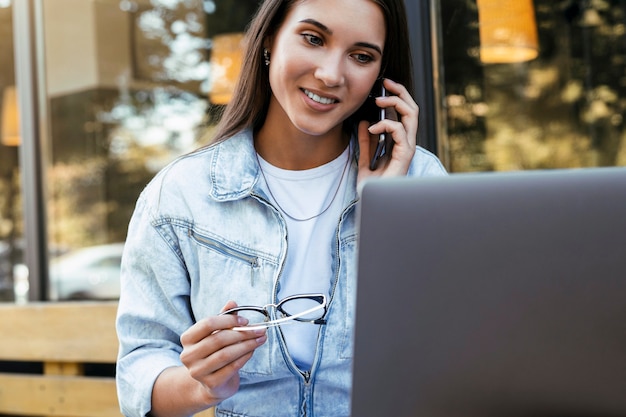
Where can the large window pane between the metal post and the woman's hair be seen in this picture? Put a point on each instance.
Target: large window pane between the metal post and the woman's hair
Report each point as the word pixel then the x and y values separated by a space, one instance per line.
pixel 131 85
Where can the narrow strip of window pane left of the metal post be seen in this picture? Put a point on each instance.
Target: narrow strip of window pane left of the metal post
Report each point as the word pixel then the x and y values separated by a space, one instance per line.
pixel 13 273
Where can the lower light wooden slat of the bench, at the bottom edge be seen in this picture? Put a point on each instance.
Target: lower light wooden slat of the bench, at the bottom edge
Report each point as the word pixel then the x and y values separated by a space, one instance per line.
pixel 34 395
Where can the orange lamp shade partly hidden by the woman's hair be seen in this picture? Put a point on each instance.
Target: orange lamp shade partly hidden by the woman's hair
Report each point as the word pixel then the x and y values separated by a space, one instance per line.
pixel 226 57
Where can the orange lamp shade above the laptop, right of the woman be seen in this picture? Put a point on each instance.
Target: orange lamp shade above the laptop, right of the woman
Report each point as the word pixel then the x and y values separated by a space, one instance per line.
pixel 508 31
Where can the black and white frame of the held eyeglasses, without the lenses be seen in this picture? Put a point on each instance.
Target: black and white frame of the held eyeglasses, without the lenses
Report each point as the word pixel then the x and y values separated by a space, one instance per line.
pixel 286 317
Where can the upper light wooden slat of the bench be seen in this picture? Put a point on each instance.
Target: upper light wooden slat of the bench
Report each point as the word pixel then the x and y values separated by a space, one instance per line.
pixel 59 332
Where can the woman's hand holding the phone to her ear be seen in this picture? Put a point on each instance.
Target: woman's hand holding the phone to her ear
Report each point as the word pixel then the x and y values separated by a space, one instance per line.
pixel 403 132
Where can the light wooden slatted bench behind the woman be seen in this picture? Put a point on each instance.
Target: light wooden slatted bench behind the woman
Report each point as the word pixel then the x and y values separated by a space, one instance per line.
pixel 61 340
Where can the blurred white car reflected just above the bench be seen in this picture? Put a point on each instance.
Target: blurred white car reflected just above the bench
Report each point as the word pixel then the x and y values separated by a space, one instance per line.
pixel 91 273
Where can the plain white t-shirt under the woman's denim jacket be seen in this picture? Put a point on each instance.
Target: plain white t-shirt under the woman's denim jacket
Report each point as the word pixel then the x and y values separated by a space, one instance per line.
pixel 308 267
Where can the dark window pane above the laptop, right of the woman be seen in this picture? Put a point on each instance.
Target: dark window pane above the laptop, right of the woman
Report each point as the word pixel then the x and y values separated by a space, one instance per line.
pixel 564 108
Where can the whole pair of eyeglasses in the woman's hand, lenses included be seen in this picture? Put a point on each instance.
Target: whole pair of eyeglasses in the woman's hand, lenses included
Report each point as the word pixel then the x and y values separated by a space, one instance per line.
pixel 307 308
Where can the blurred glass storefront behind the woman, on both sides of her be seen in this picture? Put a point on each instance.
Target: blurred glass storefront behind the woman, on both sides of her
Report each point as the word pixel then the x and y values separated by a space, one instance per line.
pixel 98 95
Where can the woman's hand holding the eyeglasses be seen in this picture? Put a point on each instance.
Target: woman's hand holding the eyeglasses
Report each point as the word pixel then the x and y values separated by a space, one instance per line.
pixel 213 354
